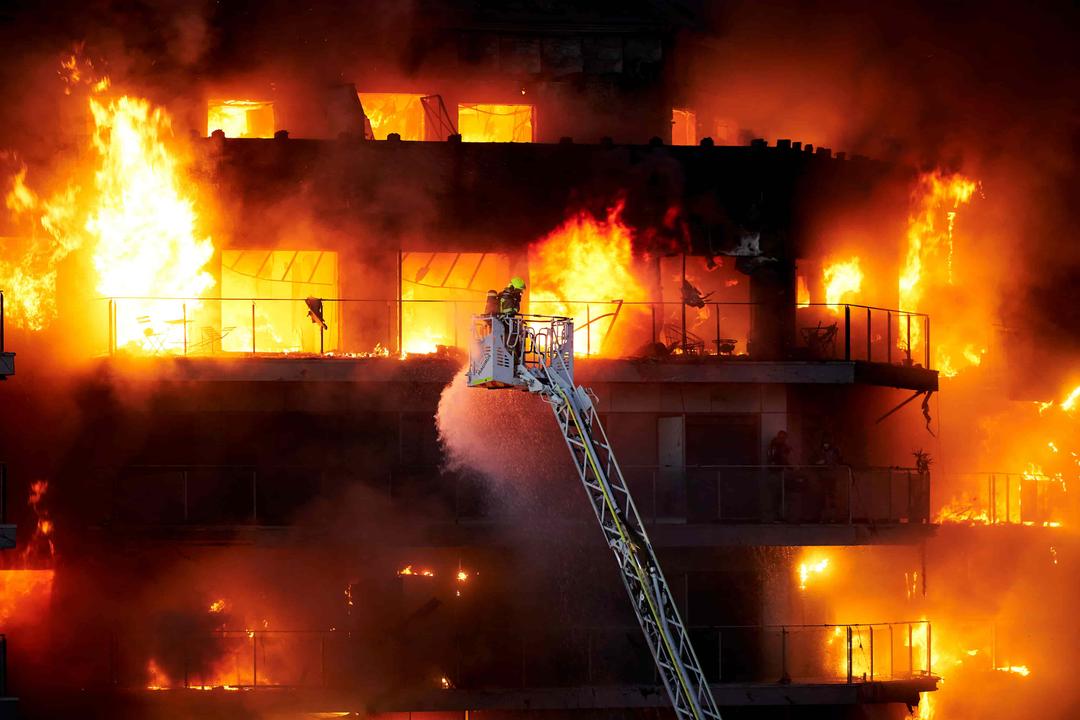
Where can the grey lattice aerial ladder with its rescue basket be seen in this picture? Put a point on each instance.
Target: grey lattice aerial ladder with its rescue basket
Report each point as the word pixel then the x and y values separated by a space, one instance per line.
pixel 536 354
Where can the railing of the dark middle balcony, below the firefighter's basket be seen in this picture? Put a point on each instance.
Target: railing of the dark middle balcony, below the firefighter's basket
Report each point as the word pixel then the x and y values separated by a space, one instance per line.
pixel 272 496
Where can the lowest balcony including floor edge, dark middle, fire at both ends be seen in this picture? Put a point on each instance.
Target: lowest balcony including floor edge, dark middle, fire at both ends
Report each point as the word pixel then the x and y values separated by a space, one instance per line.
pixel 558 669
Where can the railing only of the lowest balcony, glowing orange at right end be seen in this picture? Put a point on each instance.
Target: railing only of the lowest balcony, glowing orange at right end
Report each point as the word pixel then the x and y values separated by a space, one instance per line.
pixel 565 657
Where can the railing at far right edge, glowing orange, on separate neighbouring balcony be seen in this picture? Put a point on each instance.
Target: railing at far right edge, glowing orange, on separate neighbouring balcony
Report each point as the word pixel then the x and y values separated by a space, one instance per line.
pixel 1031 499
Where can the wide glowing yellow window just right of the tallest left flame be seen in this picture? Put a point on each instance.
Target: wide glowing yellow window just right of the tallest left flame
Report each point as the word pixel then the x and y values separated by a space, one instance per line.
pixel 277 283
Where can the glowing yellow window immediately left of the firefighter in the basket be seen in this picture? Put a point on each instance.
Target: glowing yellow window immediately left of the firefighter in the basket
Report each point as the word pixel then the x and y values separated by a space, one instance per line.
pixel 460 283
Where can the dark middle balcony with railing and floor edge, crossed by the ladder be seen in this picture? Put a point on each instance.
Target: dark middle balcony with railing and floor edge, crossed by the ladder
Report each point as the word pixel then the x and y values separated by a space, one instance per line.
pixel 693 507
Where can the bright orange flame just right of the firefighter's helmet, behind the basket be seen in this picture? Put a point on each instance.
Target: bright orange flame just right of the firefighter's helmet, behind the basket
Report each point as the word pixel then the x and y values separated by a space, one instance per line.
pixel 584 262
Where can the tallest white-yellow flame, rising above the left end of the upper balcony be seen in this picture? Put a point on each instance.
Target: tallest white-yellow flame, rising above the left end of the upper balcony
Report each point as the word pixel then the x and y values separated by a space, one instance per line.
pixel 145 226
